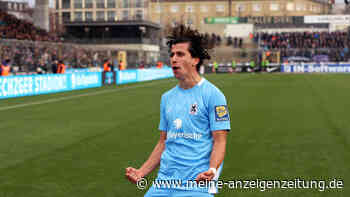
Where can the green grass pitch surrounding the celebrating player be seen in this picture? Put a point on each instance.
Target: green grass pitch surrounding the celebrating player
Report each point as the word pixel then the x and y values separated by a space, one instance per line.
pixel 77 144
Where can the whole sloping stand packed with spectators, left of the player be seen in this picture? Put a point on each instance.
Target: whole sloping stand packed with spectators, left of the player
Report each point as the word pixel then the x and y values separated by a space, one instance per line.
pixel 34 50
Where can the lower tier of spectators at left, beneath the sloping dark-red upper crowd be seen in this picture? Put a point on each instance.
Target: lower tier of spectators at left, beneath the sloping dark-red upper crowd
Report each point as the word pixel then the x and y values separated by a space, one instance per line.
pixel 30 56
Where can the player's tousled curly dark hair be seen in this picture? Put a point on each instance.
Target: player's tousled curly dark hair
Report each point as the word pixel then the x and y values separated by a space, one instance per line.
pixel 198 46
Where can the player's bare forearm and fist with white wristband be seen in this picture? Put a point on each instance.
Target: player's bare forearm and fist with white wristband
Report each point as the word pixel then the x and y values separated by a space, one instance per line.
pixel 217 155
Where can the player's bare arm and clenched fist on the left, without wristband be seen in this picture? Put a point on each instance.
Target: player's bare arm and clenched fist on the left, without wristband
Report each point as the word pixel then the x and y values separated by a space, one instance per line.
pixel 151 163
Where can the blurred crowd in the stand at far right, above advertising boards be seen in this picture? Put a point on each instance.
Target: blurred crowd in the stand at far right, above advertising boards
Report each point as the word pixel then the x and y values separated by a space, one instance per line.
pixel 333 45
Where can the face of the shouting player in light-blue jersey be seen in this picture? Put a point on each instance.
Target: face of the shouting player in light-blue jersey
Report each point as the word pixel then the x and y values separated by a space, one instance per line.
pixel 182 62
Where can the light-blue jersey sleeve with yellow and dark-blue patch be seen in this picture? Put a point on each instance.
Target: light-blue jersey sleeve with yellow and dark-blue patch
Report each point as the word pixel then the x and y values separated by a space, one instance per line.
pixel 219 116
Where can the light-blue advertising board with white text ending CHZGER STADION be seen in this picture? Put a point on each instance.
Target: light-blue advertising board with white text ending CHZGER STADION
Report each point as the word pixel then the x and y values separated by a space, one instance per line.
pixel 27 85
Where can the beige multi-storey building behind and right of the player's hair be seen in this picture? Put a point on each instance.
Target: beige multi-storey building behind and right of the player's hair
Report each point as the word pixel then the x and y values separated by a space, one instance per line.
pixel 215 16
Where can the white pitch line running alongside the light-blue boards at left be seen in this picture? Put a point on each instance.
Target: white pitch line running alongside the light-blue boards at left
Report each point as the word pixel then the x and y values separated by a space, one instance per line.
pixel 78 96
